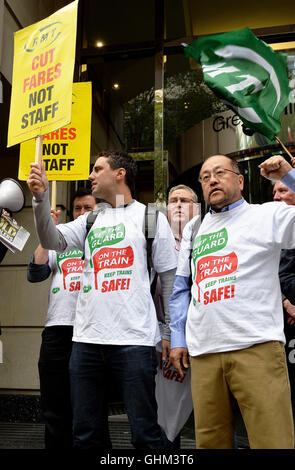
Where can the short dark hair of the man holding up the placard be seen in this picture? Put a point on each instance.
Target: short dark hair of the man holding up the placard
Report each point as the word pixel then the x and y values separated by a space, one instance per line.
pixel 118 159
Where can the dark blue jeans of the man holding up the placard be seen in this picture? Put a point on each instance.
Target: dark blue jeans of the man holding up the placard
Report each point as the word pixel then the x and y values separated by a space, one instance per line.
pixel 133 368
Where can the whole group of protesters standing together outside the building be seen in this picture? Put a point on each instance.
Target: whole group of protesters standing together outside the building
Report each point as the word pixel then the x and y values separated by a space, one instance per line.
pixel 213 284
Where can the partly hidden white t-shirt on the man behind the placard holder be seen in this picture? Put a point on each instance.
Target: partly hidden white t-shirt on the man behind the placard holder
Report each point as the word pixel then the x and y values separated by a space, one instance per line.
pixel 66 271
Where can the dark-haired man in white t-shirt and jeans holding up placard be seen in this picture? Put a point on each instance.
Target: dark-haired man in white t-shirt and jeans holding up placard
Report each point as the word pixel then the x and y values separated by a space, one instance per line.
pixel 115 328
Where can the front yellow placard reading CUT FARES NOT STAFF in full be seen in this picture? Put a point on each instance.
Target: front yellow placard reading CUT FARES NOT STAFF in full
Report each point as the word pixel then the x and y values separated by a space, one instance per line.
pixel 43 67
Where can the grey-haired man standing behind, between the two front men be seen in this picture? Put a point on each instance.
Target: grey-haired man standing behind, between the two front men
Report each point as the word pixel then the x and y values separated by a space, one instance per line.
pixel 172 392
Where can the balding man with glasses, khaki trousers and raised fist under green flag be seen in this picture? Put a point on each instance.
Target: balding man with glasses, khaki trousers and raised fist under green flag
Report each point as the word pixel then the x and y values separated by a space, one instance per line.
pixel 233 325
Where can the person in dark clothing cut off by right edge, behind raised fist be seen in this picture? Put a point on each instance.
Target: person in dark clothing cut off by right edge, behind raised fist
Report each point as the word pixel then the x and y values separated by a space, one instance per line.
pixel 287 279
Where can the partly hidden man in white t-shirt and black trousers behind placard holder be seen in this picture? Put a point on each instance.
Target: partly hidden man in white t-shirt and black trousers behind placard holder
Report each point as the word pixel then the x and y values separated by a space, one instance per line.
pixel 57 335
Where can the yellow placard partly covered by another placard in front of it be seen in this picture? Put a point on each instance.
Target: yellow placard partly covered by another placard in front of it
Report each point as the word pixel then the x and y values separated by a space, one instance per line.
pixel 66 151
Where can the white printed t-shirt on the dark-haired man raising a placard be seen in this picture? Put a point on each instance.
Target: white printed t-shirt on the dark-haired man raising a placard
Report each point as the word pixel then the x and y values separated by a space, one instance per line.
pixel 115 305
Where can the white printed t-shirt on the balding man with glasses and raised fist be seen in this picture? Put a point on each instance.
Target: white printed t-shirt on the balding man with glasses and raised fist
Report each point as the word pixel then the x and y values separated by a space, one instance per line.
pixel 236 296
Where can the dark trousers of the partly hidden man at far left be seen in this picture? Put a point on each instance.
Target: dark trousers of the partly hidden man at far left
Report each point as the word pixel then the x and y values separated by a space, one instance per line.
pixel 55 352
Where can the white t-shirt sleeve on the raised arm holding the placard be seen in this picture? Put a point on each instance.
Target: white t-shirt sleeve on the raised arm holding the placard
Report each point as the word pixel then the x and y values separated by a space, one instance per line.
pixel 74 232
